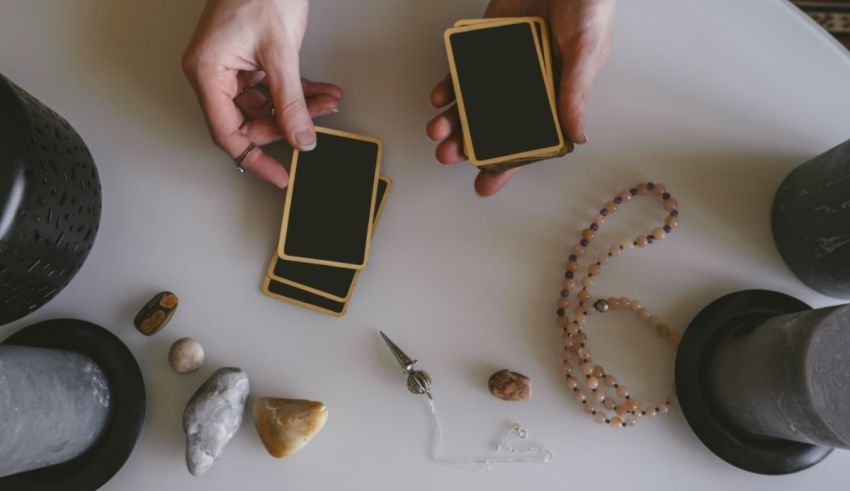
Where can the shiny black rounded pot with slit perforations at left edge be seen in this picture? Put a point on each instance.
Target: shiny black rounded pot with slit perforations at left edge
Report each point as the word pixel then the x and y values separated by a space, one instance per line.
pixel 50 202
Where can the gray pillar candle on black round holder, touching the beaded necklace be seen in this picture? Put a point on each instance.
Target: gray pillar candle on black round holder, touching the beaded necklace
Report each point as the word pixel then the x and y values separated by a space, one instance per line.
pixel 762 380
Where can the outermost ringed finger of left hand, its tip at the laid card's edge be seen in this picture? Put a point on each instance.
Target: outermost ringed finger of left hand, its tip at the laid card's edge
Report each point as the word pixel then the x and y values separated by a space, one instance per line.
pixel 215 89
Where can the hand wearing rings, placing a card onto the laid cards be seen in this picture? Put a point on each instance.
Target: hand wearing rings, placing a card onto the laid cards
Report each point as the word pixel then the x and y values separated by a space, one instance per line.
pixel 240 44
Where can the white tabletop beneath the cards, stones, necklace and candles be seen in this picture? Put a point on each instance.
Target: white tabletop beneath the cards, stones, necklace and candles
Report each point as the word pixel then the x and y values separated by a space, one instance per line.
pixel 719 100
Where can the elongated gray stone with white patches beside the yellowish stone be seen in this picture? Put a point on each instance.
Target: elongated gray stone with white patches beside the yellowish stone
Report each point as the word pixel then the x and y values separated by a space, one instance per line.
pixel 213 416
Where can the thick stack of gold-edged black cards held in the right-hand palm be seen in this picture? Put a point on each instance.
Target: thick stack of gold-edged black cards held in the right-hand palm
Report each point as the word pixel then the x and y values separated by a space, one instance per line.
pixel 501 70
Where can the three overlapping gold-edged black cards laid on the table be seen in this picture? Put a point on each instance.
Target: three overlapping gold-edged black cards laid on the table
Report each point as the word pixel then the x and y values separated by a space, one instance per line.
pixel 333 205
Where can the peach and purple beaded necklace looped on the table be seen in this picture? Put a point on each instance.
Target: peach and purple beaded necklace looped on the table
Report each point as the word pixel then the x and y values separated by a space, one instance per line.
pixel 600 394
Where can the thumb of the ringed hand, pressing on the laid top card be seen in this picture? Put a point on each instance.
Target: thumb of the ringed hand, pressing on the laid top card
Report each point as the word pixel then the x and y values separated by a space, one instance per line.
pixel 291 113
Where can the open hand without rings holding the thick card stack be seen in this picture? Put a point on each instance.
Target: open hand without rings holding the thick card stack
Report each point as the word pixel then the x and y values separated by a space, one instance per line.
pixel 580 32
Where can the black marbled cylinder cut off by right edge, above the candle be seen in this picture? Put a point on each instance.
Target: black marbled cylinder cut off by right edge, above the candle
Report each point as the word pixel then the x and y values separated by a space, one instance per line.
pixel 811 221
